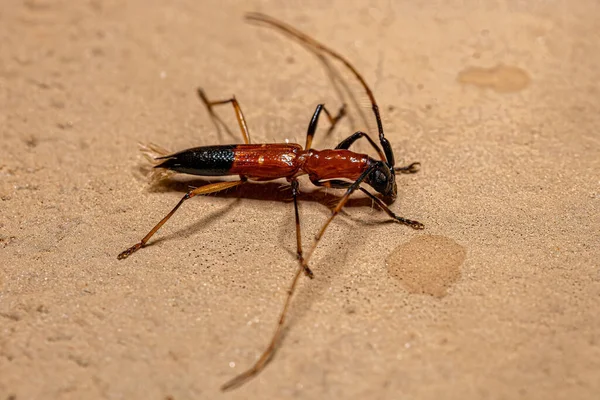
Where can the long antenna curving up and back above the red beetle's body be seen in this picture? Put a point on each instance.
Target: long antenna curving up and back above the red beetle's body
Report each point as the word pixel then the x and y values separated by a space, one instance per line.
pixel 262 18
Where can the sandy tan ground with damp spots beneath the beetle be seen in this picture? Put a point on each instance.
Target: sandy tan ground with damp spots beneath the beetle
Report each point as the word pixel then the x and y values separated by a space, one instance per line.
pixel 498 298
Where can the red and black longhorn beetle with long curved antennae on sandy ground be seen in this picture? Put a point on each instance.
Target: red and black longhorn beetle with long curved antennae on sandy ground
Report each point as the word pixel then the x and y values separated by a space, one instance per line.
pixel 260 162
